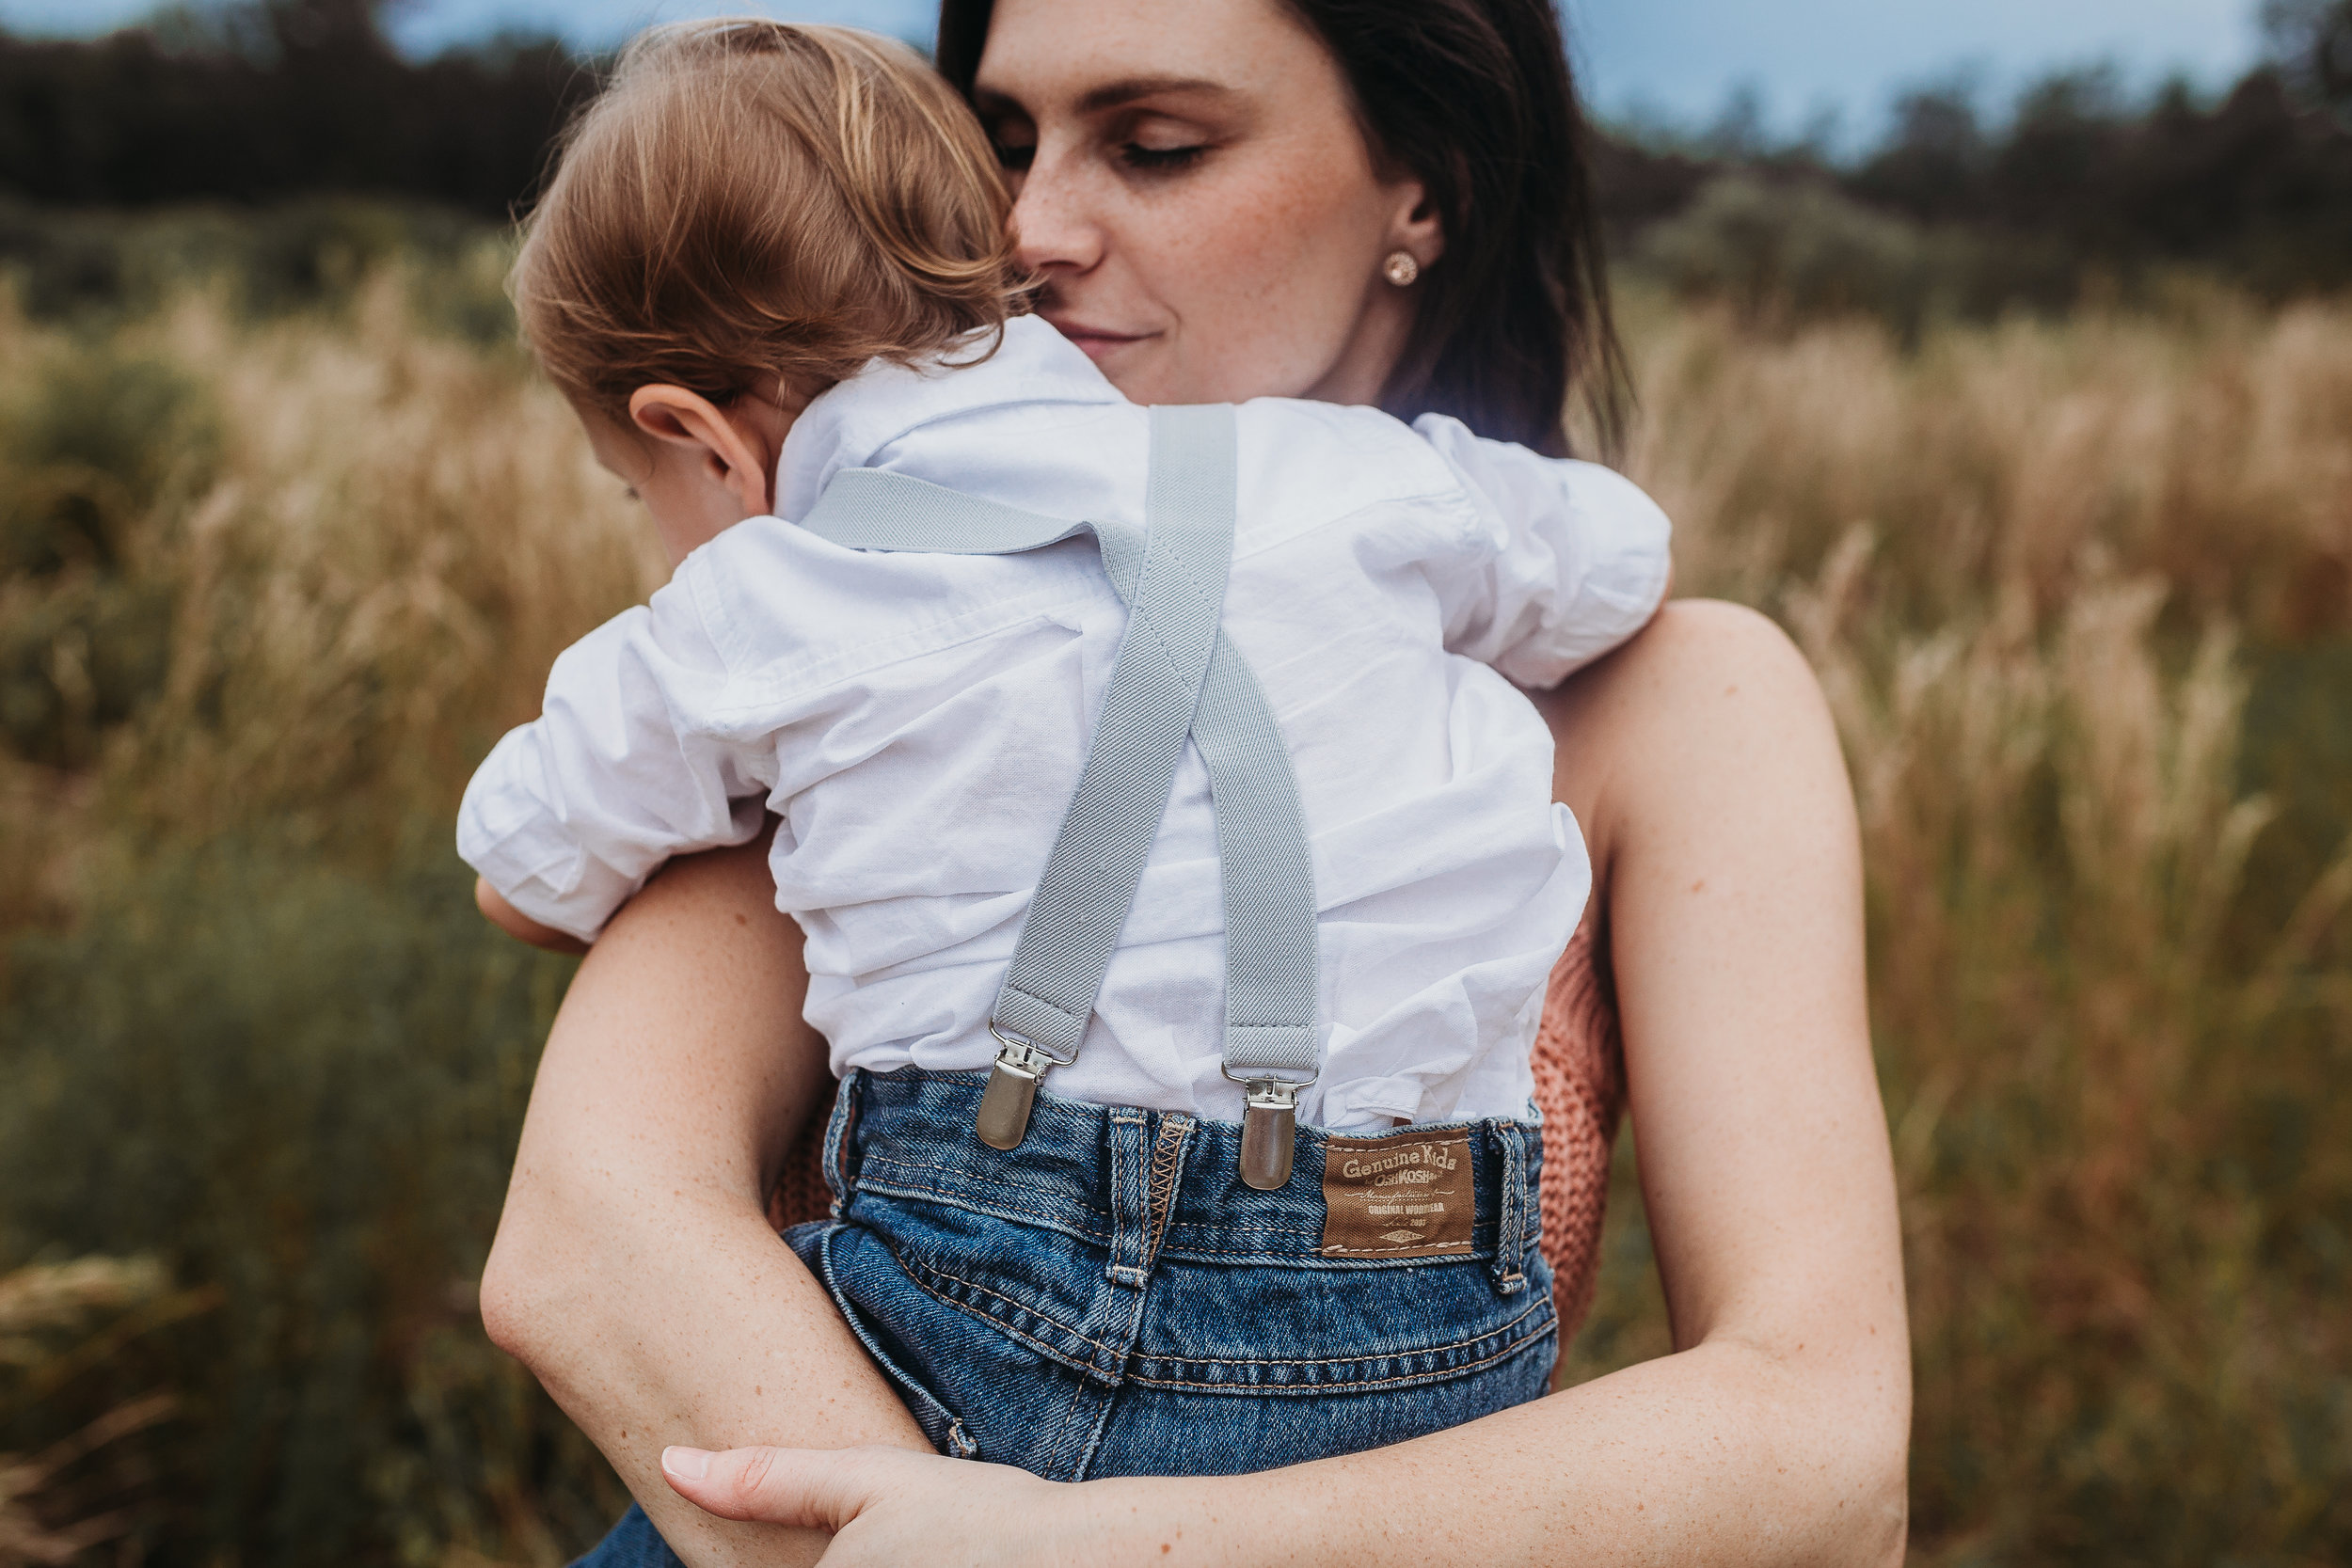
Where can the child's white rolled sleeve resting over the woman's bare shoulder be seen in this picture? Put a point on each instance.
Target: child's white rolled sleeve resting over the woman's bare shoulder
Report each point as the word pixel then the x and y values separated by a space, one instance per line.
pixel 1577 561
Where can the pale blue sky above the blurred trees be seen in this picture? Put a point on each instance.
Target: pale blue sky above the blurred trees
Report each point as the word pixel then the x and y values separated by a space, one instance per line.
pixel 1673 62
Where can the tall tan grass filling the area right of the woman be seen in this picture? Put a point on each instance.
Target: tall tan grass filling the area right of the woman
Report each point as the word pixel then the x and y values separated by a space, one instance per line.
pixel 2043 570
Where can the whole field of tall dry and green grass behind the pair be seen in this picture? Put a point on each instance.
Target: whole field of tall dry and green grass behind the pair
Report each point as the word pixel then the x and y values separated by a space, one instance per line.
pixel 272 582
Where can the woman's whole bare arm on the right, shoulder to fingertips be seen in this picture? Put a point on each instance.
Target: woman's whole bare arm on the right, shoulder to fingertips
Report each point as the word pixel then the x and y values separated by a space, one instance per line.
pixel 1706 772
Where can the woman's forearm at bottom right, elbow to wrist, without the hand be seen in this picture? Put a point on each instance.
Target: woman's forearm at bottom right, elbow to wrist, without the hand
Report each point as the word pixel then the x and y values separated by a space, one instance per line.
pixel 1723 1454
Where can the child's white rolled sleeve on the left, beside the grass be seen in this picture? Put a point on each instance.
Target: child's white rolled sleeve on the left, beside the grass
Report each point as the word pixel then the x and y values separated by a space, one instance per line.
pixel 622 770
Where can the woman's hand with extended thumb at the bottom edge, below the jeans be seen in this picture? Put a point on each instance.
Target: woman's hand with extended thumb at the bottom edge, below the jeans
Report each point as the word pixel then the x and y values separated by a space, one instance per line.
pixel 888 1508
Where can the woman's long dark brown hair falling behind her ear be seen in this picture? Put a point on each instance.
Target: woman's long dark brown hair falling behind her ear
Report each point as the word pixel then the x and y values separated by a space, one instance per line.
pixel 1478 102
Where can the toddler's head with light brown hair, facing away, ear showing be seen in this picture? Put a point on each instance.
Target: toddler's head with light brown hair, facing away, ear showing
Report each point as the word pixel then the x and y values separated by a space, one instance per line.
pixel 747 215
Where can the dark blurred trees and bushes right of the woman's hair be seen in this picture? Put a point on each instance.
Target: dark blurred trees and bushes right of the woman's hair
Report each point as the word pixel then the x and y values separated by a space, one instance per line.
pixel 2080 192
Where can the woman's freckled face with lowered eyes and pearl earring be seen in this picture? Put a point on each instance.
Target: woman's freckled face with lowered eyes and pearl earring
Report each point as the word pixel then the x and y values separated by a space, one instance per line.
pixel 1198 194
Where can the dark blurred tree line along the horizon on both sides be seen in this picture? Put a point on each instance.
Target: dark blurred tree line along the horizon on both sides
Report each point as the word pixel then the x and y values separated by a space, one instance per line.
pixel 272 100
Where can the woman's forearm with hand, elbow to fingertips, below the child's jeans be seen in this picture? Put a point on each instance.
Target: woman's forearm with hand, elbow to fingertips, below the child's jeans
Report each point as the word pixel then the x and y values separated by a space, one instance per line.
pixel 1735 1452
